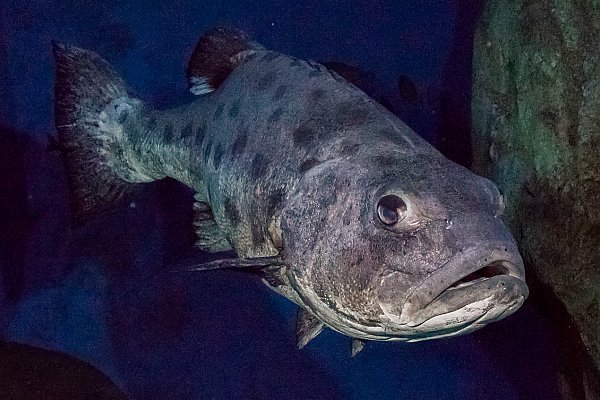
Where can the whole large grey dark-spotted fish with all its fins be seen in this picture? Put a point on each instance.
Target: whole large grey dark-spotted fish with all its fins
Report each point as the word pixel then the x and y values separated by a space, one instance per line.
pixel 319 190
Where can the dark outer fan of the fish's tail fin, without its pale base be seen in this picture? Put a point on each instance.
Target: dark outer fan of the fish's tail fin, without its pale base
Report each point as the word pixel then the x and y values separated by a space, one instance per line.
pixel 85 84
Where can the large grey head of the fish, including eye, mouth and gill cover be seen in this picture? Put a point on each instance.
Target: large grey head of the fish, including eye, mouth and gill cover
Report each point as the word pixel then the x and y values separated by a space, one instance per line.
pixel 411 252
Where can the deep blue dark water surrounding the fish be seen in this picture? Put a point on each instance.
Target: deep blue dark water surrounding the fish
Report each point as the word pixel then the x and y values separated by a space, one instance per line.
pixel 104 292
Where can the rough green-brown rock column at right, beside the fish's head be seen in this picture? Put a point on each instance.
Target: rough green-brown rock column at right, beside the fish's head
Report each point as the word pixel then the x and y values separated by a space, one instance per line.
pixel 536 132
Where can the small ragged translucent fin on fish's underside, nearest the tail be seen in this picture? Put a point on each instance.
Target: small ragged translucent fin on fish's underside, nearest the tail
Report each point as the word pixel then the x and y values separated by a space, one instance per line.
pixel 209 236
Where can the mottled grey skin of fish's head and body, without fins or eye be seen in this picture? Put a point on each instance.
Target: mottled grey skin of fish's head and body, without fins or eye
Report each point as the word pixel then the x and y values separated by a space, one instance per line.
pixel 294 160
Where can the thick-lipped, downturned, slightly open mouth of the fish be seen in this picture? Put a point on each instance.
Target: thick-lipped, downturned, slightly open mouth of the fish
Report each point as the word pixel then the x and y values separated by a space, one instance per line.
pixel 475 287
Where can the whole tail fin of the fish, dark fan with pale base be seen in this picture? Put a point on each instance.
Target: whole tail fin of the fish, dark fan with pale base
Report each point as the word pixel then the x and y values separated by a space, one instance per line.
pixel 91 105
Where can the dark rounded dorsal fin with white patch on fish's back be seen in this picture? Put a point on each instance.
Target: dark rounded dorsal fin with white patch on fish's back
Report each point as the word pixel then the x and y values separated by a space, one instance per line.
pixel 214 58
